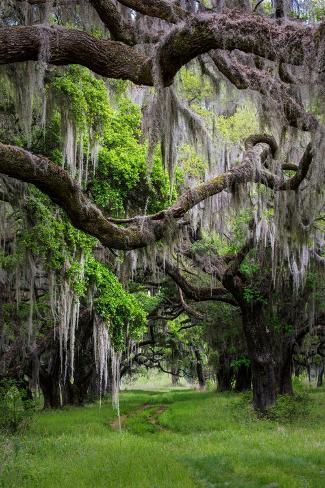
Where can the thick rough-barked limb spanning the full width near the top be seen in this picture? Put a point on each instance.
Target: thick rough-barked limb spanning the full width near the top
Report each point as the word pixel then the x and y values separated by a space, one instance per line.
pixel 246 32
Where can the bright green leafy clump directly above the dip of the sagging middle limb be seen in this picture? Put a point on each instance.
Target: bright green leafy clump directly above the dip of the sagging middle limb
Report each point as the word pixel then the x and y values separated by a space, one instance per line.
pixel 123 183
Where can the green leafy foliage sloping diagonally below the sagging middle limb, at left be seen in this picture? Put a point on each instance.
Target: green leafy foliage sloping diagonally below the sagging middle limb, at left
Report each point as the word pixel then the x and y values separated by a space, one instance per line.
pixel 61 247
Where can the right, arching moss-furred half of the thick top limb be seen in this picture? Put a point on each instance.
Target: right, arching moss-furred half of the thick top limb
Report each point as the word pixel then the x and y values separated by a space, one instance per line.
pixel 246 32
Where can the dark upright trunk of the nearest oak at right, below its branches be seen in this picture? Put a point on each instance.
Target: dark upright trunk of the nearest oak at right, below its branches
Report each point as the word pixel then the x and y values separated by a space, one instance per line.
pixel 259 345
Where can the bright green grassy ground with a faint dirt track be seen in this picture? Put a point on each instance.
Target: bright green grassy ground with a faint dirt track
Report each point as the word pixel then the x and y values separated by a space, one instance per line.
pixel 171 439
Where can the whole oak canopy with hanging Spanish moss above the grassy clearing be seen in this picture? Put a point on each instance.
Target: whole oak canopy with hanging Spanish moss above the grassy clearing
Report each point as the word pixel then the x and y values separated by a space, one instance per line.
pixel 173 152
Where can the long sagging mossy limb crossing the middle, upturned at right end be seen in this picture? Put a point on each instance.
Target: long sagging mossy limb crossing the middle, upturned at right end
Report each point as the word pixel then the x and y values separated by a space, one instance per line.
pixel 84 215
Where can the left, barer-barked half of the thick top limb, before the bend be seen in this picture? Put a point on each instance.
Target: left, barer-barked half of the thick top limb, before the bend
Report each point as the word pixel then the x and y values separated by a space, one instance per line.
pixel 61 46
